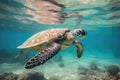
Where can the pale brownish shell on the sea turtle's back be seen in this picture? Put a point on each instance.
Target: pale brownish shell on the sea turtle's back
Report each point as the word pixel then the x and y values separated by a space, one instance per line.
pixel 42 37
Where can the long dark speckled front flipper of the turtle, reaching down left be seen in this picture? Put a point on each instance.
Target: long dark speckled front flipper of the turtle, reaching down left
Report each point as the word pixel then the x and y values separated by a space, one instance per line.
pixel 44 56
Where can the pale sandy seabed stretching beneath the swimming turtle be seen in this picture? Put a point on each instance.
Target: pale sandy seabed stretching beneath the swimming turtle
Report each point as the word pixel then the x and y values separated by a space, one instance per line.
pixel 65 67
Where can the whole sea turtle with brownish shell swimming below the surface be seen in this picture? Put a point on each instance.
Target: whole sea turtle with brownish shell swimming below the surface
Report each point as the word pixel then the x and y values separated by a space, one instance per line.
pixel 50 42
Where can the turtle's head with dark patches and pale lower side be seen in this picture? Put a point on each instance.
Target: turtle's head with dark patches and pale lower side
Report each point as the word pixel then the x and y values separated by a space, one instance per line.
pixel 77 34
